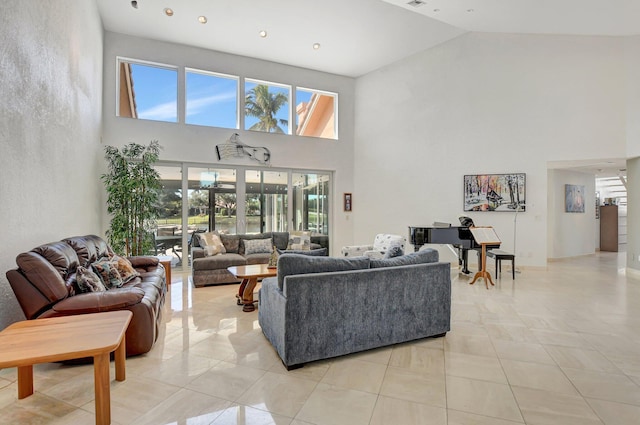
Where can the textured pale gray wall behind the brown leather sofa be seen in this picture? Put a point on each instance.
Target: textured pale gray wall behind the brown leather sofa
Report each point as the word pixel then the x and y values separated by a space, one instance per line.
pixel 50 113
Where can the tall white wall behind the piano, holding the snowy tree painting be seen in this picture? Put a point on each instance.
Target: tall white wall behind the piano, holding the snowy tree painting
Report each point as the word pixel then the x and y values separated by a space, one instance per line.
pixel 483 103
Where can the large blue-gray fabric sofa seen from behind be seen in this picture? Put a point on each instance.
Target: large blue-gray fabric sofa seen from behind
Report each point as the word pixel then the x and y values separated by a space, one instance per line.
pixel 321 307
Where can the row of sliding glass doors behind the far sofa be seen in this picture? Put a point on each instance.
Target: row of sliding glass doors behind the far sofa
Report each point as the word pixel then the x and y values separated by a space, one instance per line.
pixel 237 200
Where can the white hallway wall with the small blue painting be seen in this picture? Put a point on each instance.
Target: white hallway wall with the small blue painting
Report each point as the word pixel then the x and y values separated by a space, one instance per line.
pixel 570 234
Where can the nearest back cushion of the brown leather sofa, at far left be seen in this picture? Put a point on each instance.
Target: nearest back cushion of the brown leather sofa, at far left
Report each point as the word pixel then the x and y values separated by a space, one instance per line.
pixel 50 268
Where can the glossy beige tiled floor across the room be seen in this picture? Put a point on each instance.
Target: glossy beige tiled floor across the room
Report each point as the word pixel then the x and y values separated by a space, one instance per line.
pixel 560 346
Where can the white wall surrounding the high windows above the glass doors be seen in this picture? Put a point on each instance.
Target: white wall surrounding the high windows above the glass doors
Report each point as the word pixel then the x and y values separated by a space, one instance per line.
pixel 196 144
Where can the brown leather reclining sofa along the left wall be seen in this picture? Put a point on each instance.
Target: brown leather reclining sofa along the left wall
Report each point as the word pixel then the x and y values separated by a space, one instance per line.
pixel 45 285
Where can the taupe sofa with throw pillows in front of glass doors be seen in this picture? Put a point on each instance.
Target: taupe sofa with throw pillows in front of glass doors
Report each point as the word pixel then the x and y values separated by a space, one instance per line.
pixel 212 269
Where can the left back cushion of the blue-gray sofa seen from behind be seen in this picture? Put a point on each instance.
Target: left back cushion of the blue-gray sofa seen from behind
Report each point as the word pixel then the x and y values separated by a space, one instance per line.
pixel 291 264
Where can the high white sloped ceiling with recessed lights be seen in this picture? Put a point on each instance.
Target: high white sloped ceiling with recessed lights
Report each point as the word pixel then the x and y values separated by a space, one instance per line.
pixel 356 36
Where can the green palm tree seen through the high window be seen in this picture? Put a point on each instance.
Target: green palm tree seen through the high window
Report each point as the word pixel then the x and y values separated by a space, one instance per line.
pixel 263 105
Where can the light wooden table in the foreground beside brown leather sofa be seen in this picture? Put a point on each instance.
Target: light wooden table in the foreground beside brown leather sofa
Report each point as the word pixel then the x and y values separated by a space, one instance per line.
pixel 23 344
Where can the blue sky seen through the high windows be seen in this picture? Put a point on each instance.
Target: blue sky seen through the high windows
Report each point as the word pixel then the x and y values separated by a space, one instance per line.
pixel 211 99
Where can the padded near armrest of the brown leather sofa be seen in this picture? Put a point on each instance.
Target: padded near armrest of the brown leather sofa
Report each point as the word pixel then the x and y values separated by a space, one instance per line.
pixel 95 302
